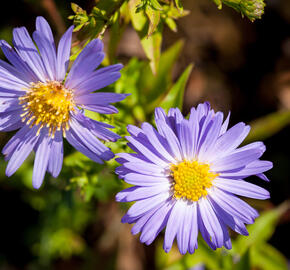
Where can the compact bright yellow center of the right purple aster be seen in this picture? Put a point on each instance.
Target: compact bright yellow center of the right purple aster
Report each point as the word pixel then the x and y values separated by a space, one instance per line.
pixel 191 179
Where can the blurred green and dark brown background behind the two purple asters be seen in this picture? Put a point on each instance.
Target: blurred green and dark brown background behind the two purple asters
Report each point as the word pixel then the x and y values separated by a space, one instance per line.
pixel 172 58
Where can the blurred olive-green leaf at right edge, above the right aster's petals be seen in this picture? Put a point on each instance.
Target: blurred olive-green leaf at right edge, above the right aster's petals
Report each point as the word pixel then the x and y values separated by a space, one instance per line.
pixel 268 125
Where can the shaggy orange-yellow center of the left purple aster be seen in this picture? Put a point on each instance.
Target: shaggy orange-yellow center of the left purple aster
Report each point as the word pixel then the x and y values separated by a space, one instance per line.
pixel 48 104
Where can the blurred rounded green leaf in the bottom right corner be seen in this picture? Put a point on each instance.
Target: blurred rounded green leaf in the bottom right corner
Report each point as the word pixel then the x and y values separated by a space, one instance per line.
pixel 267 257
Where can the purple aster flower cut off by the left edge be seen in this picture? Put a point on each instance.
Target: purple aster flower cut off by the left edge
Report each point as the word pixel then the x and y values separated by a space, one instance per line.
pixel 45 104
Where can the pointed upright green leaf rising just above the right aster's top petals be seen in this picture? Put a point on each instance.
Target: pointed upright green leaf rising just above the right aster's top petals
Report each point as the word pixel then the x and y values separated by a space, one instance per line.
pixel 174 98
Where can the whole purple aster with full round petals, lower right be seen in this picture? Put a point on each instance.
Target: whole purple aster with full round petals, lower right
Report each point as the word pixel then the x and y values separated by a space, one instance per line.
pixel 187 174
